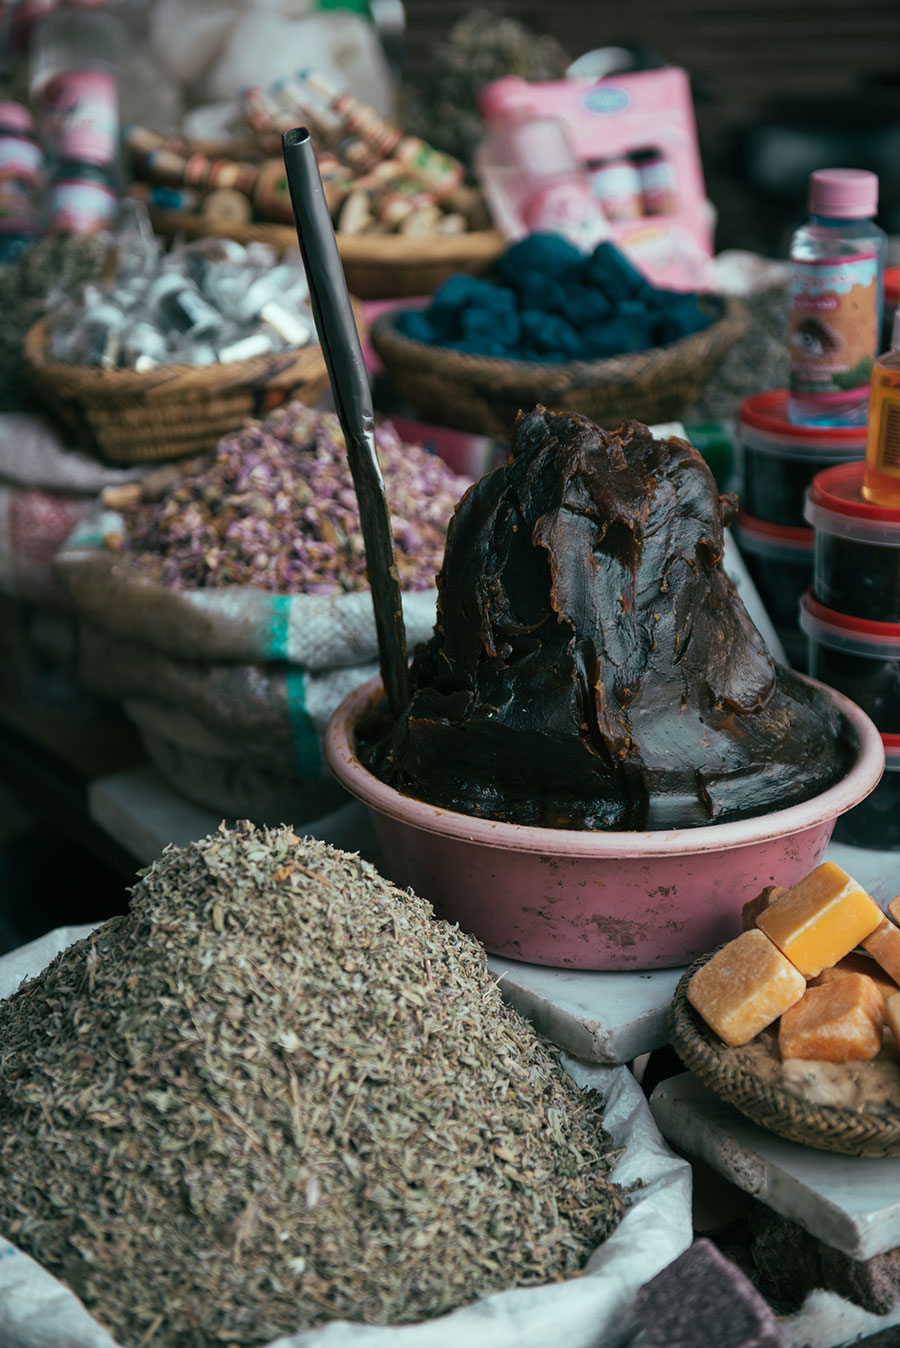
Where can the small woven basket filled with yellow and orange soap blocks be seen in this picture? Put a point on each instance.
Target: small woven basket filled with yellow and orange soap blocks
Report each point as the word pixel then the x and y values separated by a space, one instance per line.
pixel 814 1059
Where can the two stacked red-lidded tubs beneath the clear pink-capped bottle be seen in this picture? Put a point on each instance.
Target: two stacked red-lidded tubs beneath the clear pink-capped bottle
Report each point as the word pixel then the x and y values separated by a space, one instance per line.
pixel 778 462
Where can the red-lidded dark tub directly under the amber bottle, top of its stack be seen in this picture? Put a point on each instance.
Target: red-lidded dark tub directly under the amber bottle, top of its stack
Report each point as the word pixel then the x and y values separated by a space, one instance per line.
pixel 856 556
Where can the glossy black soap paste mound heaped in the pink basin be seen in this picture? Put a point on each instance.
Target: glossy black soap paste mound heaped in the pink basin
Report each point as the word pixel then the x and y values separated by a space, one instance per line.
pixel 592 665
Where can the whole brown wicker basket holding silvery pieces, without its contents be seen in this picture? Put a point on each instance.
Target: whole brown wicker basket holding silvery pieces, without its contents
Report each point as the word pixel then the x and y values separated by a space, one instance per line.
pixel 173 410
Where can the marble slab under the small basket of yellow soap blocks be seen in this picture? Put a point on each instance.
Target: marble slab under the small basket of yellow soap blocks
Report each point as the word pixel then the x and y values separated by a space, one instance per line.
pixel 851 1203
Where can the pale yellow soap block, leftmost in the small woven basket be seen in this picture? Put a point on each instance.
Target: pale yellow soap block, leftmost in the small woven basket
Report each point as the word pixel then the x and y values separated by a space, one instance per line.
pixel 744 987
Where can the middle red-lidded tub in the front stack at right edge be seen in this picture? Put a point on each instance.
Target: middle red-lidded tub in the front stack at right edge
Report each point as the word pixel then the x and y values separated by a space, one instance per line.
pixel 856 657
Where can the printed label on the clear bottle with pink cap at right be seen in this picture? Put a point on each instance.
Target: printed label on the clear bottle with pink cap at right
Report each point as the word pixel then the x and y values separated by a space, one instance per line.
pixel 835 327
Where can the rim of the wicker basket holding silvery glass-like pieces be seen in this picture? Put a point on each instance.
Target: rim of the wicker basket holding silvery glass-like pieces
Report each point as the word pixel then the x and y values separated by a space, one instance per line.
pixel 165 382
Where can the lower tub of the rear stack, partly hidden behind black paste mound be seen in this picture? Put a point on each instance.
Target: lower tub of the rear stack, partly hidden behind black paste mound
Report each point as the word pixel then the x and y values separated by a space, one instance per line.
pixel 781 565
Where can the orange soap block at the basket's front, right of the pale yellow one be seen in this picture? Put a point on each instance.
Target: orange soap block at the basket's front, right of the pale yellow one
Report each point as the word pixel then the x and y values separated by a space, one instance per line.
pixel 836 1022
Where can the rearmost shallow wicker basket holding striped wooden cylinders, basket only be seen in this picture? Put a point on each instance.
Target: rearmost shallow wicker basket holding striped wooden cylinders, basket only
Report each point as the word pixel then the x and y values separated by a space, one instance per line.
pixel 375 266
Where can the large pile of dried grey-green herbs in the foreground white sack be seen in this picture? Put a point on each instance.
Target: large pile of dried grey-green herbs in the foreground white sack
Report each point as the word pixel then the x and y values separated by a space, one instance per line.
pixel 281 1093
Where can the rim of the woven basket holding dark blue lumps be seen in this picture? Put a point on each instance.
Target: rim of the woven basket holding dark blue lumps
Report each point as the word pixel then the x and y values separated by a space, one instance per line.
pixel 610 373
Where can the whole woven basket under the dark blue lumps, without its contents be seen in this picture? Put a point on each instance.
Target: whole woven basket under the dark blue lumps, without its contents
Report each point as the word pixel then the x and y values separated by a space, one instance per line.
pixel 484 394
